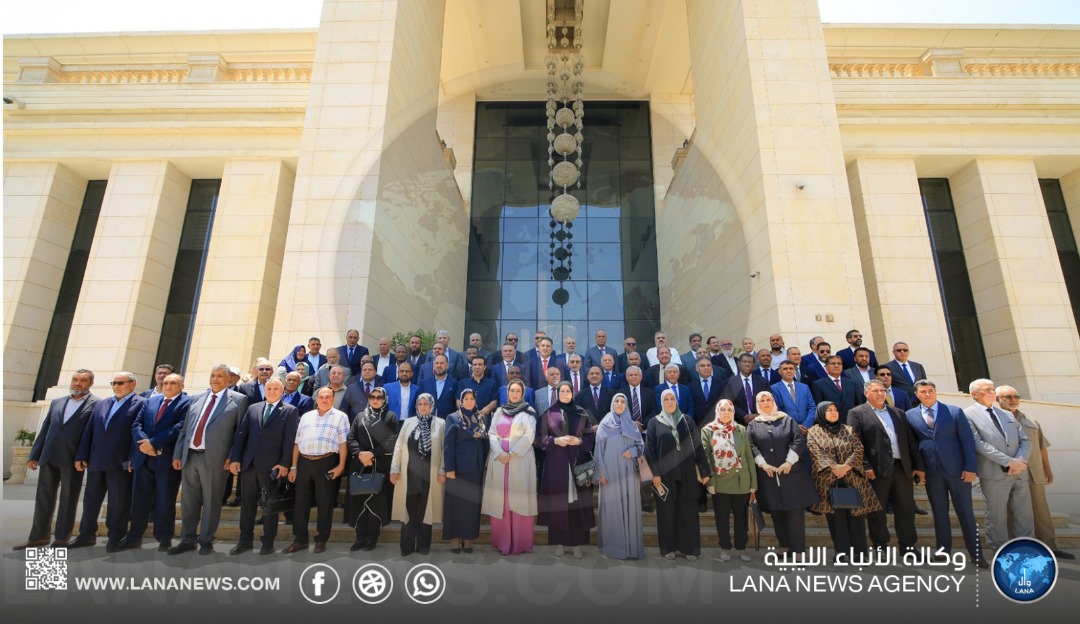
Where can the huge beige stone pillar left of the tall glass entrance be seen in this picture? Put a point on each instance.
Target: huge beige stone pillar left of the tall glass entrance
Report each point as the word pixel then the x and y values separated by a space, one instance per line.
pixel 377 234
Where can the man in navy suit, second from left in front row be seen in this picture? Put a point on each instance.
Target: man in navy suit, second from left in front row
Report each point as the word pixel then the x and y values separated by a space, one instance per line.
pixel 105 456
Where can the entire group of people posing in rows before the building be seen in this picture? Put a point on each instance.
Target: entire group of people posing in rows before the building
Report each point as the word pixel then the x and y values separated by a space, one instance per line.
pixel 533 438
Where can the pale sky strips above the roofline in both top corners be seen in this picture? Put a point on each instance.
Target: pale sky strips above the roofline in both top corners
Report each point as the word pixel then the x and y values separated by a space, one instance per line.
pixel 52 17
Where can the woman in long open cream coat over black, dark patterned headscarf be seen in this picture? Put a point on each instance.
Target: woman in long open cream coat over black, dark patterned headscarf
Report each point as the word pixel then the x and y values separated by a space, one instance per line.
pixel 418 474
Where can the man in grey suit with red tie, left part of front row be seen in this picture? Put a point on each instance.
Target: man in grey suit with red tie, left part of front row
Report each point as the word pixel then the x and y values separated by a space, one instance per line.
pixel 202 455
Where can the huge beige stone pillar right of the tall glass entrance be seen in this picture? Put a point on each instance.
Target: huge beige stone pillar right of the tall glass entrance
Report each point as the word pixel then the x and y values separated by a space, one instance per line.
pixel 755 234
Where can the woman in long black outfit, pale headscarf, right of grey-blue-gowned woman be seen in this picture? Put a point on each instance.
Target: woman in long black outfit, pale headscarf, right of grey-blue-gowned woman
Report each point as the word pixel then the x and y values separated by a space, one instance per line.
pixel 673 447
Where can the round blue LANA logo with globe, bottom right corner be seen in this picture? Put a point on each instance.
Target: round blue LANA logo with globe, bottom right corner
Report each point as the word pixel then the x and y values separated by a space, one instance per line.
pixel 1024 571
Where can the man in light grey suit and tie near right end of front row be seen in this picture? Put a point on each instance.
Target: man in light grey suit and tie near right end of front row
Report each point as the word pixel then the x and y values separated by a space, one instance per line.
pixel 1004 450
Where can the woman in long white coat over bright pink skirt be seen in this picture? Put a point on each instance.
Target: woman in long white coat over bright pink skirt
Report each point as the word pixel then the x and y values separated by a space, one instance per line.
pixel 510 487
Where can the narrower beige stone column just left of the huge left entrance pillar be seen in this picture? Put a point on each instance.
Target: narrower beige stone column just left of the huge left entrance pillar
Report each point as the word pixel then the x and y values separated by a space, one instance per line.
pixel 241 283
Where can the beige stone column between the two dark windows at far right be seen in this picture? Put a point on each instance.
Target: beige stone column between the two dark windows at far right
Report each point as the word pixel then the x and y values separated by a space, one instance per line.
pixel 1024 315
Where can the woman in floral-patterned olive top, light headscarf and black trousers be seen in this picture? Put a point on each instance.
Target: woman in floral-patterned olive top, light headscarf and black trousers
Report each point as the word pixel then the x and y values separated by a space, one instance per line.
pixel 734 478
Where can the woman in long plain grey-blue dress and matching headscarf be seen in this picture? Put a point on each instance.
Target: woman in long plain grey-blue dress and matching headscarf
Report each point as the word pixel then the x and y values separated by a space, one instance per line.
pixel 618 446
